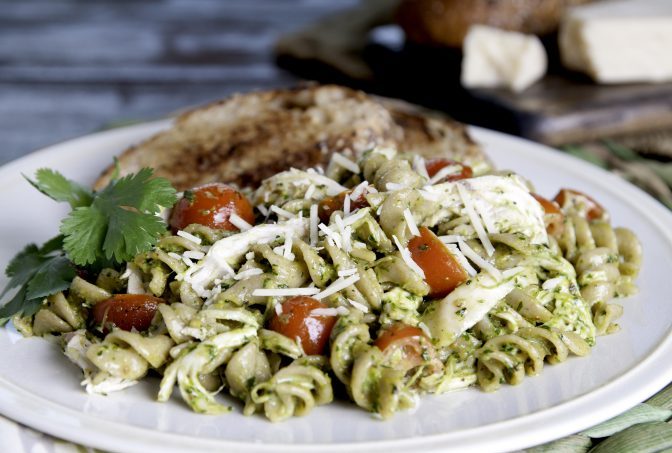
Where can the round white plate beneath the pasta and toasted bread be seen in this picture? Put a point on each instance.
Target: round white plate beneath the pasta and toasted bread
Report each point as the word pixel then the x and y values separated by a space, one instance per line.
pixel 39 388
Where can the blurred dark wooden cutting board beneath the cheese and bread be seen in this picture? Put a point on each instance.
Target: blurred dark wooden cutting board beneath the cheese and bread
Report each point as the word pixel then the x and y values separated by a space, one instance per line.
pixel 564 107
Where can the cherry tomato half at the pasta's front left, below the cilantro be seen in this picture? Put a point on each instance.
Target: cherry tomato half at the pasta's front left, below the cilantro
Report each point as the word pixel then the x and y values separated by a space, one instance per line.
pixel 127 311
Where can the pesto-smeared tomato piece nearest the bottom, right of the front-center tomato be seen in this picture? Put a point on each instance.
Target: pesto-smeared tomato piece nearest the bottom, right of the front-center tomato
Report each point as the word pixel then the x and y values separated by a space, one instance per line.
pixel 412 341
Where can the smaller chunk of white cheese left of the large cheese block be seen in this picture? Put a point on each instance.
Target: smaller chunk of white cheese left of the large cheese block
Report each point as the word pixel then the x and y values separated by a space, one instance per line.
pixel 497 58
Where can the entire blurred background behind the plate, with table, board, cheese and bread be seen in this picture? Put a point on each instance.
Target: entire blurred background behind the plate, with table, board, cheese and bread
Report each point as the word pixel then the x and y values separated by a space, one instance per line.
pixel 594 81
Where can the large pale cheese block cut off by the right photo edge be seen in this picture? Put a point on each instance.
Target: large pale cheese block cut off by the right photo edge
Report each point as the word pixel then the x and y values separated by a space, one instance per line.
pixel 619 41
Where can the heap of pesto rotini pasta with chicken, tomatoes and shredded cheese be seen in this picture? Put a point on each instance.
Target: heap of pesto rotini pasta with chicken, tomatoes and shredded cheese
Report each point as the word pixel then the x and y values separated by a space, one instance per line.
pixel 380 276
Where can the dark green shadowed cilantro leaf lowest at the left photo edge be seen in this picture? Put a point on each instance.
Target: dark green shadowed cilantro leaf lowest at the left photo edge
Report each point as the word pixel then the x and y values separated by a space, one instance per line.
pixel 37 272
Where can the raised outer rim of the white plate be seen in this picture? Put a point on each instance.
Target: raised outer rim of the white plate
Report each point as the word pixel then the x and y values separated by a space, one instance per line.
pixel 498 436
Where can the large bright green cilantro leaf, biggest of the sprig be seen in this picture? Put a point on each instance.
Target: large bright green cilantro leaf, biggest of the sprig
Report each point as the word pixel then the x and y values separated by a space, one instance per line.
pixel 121 220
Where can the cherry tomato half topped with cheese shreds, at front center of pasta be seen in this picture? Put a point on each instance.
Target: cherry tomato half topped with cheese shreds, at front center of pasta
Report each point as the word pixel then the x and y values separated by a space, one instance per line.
pixel 297 321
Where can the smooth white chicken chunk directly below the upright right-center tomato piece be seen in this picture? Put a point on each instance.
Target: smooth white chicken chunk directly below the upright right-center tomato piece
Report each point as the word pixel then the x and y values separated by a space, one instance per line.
pixel 465 306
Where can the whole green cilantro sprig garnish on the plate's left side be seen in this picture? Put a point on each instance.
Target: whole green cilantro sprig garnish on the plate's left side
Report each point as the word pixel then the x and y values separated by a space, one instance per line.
pixel 103 228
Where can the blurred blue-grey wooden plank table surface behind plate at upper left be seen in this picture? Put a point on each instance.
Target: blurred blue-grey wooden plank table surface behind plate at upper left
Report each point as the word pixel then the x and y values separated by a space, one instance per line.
pixel 70 67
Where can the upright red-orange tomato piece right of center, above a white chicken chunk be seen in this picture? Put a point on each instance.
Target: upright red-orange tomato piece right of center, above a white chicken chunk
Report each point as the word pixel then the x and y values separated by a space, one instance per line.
pixel 443 273
